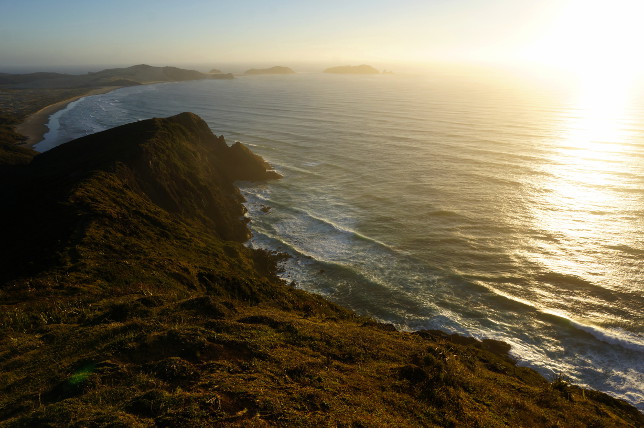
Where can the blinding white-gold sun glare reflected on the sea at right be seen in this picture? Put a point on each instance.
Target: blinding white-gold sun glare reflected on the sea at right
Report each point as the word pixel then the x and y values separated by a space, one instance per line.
pixel 584 193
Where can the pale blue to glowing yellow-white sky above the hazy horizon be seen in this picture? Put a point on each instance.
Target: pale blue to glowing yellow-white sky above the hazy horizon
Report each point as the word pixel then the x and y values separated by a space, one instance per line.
pixel 41 34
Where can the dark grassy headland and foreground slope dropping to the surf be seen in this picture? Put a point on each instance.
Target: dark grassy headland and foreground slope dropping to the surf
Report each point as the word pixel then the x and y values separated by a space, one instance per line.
pixel 127 298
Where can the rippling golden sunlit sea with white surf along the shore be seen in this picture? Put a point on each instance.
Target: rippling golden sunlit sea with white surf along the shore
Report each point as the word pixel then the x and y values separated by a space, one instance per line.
pixel 492 207
